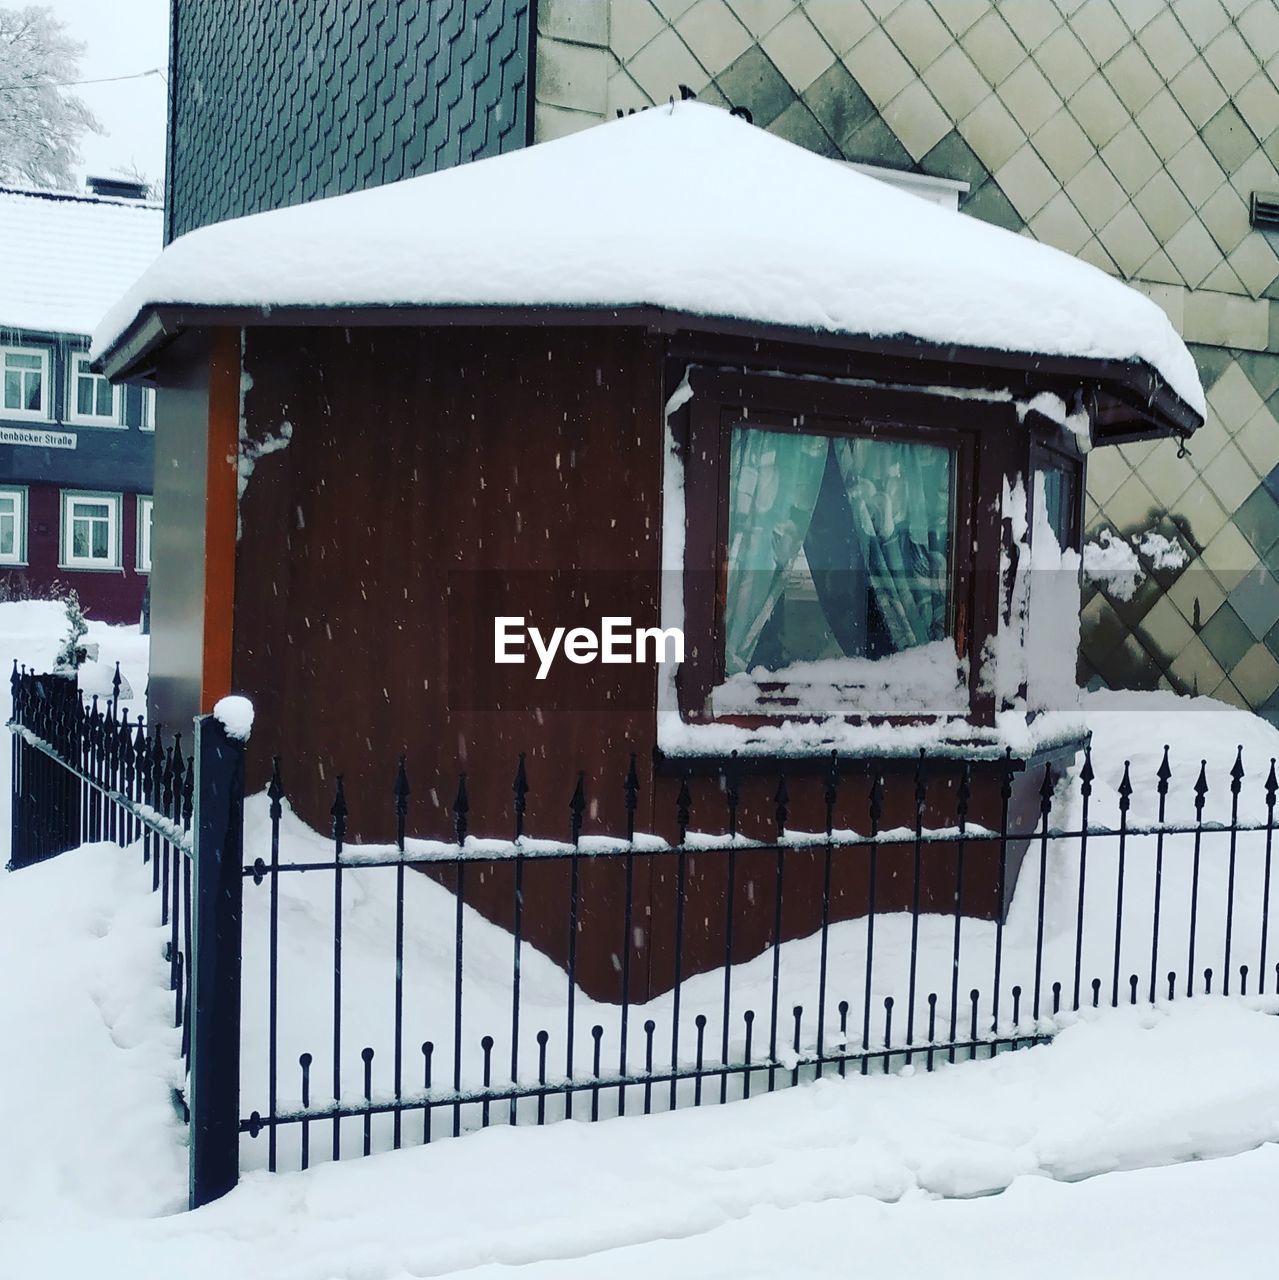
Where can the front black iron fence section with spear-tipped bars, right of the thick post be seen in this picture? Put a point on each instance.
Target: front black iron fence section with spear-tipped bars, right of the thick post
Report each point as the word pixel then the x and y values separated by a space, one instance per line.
pixel 920 986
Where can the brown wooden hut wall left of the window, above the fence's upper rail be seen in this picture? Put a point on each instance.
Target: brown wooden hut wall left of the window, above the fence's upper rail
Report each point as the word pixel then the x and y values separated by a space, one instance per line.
pixel 435 474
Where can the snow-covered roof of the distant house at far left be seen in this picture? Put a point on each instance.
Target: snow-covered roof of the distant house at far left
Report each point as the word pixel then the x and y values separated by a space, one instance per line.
pixel 68 257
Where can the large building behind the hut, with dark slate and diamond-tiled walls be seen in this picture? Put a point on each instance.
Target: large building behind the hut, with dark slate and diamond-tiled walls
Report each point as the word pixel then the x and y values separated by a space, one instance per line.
pixel 1134 134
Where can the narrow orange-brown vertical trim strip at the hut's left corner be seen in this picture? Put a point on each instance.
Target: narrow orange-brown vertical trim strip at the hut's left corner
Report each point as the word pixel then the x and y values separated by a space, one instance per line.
pixel 222 501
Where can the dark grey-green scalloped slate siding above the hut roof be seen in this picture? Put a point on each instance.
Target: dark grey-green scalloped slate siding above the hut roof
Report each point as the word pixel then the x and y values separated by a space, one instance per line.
pixel 273 104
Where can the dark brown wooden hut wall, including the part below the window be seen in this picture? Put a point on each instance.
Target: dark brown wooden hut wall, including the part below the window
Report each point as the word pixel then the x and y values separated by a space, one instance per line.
pixel 437 478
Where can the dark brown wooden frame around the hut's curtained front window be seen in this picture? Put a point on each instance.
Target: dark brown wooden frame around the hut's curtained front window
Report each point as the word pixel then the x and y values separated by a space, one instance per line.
pixel 725 401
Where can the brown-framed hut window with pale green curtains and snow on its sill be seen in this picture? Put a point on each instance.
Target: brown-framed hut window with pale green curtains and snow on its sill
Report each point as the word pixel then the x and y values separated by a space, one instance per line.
pixel 834 550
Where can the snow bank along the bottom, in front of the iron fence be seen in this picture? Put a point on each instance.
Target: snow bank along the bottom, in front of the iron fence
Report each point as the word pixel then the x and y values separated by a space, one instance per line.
pixel 792 1185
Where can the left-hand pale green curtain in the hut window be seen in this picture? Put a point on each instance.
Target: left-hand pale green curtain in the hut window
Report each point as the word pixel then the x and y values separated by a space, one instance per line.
pixel 775 481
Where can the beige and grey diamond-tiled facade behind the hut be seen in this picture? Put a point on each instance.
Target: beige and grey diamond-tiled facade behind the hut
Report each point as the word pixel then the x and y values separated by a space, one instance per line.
pixel 1127 132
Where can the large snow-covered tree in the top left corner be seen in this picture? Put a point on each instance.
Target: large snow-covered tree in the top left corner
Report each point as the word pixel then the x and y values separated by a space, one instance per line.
pixel 40 122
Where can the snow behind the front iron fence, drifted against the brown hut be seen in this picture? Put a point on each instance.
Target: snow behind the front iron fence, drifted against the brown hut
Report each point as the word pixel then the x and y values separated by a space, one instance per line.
pixel 1127 728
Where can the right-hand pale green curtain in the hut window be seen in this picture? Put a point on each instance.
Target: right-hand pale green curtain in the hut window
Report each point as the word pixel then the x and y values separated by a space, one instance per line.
pixel 901 499
